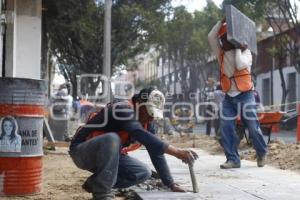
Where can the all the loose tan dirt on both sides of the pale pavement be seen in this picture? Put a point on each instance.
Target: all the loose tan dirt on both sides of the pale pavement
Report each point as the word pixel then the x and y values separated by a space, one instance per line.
pixel 62 180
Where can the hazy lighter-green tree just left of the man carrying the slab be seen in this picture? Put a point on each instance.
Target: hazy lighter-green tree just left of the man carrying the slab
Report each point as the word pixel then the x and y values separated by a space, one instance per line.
pixel 182 40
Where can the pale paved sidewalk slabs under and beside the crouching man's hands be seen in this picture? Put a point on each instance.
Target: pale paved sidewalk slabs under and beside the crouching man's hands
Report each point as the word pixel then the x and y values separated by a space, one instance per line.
pixel 247 183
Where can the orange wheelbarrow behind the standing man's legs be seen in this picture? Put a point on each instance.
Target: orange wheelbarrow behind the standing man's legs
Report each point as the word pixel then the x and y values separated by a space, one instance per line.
pixel 267 121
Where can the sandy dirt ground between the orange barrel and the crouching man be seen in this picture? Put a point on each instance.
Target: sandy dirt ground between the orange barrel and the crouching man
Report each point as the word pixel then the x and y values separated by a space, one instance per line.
pixel 61 179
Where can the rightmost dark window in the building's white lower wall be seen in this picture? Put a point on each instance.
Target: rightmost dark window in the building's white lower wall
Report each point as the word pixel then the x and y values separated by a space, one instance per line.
pixel 292 96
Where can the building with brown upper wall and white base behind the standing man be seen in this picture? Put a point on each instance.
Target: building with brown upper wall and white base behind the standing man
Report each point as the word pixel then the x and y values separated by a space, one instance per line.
pixel 267 71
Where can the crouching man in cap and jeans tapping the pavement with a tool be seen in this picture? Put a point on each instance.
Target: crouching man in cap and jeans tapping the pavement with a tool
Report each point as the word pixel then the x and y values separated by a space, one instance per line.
pixel 101 145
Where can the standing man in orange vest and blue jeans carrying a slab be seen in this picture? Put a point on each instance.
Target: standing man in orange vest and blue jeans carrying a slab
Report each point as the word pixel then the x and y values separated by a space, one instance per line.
pixel 235 78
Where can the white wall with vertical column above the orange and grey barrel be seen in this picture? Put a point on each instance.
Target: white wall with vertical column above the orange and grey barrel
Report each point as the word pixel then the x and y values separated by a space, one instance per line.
pixel 20 40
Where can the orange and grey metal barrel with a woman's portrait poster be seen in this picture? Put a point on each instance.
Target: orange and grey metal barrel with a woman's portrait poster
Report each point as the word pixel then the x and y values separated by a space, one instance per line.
pixel 22 110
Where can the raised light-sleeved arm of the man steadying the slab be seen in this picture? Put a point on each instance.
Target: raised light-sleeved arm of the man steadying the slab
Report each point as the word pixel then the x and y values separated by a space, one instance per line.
pixel 213 39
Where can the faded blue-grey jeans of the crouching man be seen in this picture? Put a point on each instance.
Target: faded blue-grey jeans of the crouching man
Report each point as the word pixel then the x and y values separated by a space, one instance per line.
pixel 101 156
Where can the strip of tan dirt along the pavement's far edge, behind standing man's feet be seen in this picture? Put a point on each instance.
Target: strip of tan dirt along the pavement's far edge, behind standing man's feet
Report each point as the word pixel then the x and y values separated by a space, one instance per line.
pixel 281 155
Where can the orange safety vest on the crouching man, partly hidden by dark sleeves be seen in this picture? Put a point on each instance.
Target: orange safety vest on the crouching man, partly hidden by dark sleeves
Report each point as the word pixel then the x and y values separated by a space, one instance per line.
pixel 124 135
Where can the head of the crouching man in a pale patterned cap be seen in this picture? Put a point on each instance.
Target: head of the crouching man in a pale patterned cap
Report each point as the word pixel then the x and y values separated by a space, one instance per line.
pixel 150 104
